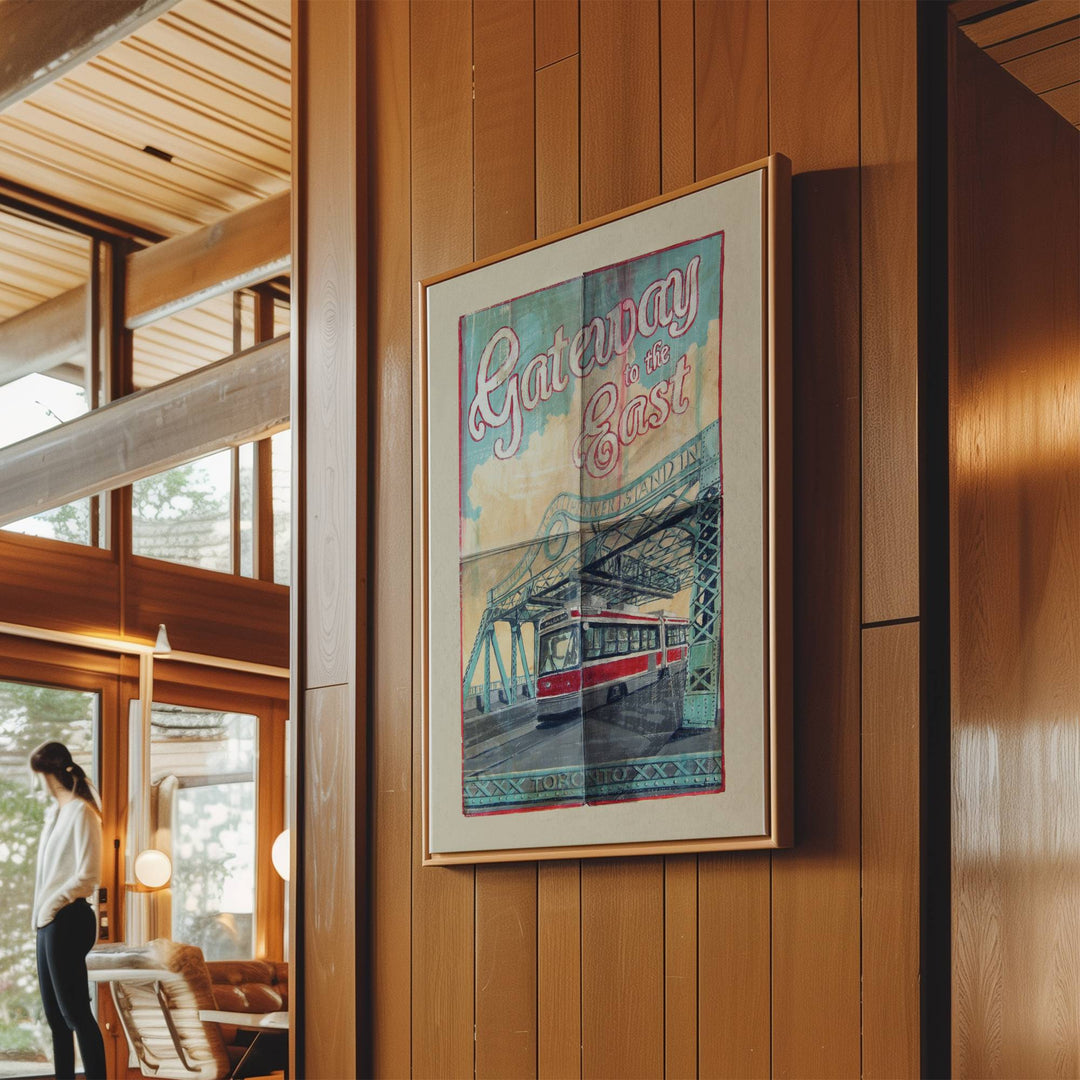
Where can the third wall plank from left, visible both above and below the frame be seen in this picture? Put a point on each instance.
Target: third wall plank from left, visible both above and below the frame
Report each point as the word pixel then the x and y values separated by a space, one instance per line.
pixel 505 217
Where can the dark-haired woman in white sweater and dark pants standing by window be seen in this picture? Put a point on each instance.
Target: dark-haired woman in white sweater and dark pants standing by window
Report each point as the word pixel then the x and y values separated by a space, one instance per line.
pixel 70 867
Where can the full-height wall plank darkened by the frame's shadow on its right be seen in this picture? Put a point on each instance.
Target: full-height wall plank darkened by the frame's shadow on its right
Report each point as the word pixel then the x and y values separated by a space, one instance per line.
pixel 814 99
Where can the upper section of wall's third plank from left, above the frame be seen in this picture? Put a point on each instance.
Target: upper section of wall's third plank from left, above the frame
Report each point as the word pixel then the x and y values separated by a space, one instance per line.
pixel 504 114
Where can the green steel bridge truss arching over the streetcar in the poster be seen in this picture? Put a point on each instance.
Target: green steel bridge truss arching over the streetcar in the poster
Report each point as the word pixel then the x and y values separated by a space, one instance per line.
pixel 650 541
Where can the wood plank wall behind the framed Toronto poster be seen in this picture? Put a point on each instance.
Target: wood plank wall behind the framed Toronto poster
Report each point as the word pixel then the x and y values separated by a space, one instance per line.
pixel 496 121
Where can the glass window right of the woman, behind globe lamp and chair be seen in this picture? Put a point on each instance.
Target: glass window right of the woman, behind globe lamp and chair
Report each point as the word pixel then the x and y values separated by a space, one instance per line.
pixel 204 777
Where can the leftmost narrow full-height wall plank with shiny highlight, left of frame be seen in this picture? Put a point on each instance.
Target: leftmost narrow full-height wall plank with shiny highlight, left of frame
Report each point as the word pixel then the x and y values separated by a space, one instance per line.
pixel 391 631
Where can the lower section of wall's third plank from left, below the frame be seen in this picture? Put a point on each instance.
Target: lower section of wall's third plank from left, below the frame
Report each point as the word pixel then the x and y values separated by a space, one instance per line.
pixel 506 971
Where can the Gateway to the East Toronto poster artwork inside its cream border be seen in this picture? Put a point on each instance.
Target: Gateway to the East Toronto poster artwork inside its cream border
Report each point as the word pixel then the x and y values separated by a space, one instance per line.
pixel 591 542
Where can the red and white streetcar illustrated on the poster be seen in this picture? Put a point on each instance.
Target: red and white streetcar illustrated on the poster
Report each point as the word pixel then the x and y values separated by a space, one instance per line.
pixel 587 659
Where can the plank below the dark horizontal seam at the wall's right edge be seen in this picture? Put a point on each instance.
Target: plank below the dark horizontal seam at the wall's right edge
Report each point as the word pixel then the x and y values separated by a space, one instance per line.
pixel 890 779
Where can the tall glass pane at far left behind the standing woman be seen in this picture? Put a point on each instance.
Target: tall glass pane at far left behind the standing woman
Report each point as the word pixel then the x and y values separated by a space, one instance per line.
pixel 30 715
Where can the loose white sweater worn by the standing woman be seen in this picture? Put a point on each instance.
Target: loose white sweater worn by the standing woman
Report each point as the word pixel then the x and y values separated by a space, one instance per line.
pixel 70 859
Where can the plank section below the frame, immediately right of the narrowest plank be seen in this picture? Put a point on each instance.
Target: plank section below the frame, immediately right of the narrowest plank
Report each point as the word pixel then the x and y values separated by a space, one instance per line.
pixel 734 960
